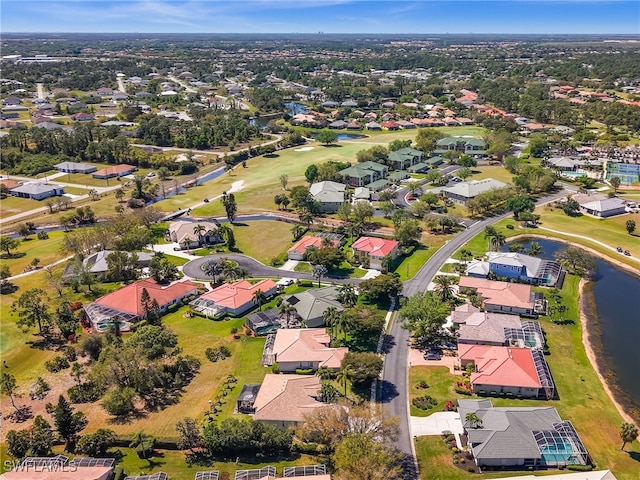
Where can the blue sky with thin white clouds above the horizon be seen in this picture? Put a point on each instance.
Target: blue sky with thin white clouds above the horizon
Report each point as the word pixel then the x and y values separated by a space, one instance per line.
pixel 329 16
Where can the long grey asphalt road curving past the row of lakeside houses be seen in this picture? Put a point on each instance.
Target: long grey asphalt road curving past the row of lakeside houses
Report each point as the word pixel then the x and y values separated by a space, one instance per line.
pixel 394 393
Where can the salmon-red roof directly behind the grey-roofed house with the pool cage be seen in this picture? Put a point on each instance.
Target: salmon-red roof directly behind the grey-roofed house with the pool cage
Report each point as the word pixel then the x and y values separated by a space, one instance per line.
pixel 505 366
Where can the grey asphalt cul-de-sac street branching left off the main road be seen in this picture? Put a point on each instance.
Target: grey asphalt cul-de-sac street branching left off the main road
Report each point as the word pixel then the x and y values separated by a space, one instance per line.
pixel 194 269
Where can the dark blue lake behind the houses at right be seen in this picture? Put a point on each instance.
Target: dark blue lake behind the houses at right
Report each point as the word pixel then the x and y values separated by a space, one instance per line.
pixel 616 298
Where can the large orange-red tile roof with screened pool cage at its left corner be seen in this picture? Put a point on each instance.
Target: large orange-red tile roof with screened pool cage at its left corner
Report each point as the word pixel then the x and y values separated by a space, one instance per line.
pixel 127 299
